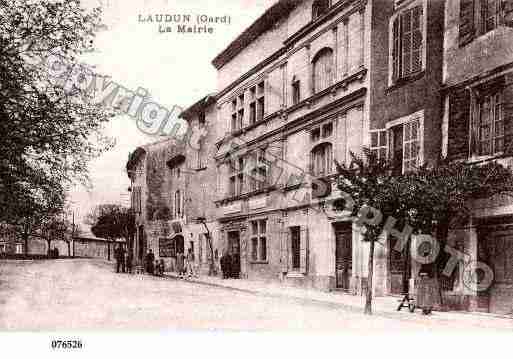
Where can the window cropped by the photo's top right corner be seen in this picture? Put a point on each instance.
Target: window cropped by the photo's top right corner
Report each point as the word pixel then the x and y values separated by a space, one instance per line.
pixel 477 17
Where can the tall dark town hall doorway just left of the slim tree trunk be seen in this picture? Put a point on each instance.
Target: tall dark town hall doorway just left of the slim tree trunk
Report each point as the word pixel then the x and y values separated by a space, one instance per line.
pixel 343 255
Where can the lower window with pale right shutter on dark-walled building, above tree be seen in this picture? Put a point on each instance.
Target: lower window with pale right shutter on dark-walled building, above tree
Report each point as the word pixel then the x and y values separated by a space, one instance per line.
pixel 405 147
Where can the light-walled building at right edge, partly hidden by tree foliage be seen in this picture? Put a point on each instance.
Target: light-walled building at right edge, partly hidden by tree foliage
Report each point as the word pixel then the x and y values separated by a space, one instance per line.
pixel 478 127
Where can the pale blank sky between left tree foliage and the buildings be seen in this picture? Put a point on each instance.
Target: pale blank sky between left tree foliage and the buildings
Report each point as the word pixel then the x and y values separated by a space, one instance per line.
pixel 175 68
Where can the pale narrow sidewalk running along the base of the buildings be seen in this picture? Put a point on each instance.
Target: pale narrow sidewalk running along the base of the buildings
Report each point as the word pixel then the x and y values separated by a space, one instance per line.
pixel 382 306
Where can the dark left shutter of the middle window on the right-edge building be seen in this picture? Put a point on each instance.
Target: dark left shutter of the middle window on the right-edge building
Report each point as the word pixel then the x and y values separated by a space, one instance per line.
pixel 459 124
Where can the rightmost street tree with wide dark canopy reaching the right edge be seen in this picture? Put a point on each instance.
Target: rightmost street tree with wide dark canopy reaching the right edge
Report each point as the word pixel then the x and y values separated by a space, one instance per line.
pixel 441 195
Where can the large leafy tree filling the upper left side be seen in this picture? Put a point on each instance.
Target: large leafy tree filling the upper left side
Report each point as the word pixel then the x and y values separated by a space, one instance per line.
pixel 48 133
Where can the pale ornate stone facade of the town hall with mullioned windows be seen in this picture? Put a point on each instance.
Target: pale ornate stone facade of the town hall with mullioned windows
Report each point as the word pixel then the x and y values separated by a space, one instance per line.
pixel 312 77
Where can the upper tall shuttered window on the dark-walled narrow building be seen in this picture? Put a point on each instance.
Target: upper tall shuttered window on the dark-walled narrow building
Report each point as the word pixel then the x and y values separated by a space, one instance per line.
pixel 407 43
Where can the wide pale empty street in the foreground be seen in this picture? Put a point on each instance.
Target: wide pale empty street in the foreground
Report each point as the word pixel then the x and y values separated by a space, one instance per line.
pixel 88 295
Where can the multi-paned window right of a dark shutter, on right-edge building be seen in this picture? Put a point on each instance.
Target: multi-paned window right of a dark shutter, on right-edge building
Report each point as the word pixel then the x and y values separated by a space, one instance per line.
pixel 490 125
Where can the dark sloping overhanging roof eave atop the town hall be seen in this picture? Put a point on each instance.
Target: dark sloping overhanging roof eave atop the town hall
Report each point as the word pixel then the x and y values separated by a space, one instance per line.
pixel 275 13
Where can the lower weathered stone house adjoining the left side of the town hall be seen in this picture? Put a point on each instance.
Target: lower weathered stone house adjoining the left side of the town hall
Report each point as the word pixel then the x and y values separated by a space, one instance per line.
pixel 173 189
